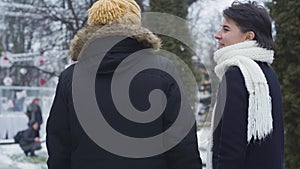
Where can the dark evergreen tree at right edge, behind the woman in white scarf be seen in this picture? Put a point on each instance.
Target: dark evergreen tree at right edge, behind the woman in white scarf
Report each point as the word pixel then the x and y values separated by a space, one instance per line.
pixel 287 60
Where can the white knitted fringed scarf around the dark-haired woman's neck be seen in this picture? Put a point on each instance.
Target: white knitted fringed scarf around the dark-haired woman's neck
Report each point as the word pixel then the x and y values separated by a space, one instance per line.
pixel 244 55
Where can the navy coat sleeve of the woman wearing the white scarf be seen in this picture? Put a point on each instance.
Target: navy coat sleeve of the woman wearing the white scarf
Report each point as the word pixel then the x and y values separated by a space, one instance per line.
pixel 233 136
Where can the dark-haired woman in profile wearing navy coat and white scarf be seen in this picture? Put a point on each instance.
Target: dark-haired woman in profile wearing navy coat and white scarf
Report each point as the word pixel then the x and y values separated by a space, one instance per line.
pixel 248 117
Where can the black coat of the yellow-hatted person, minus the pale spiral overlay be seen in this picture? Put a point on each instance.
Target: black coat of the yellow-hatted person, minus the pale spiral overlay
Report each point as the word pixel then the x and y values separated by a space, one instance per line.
pixel 68 145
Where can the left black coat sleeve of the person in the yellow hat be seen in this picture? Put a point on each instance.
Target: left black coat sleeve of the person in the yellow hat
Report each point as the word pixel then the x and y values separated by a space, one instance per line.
pixel 58 139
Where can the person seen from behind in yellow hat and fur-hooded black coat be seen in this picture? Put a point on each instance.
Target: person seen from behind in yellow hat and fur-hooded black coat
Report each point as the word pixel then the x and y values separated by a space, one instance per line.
pixel 69 145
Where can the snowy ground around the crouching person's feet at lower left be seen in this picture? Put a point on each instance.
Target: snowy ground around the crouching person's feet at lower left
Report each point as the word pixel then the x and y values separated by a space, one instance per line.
pixel 12 157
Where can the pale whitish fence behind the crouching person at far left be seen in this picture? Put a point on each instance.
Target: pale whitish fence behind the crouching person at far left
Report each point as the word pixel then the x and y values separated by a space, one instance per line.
pixel 13 103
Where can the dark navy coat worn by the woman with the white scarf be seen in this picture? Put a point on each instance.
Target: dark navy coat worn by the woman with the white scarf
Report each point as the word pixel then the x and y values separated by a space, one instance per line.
pixel 230 148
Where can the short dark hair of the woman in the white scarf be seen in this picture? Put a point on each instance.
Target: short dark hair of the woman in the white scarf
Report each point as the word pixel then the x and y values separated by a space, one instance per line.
pixel 250 16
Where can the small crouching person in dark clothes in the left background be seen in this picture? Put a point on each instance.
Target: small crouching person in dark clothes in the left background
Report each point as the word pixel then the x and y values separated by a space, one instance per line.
pixel 29 142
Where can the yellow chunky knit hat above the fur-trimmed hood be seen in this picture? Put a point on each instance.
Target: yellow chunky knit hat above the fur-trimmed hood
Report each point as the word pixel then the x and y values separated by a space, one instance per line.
pixel 120 11
